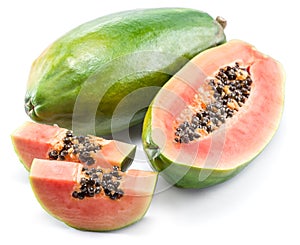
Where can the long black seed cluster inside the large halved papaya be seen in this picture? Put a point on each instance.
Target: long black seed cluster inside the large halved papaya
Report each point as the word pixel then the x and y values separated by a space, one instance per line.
pixel 230 89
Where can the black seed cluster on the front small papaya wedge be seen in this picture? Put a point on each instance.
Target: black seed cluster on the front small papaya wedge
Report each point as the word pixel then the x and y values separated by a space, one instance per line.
pixel 94 180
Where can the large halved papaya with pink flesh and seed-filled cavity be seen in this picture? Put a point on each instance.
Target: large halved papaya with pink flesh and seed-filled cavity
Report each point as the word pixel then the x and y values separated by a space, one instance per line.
pixel 215 115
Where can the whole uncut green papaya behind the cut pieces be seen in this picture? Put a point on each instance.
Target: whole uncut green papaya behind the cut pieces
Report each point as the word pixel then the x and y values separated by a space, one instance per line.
pixel 101 76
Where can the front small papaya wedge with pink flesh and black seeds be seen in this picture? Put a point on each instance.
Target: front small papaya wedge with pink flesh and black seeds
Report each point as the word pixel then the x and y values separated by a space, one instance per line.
pixel 55 182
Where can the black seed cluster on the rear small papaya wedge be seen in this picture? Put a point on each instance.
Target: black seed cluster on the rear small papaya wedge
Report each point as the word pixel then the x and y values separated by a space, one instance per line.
pixel 80 147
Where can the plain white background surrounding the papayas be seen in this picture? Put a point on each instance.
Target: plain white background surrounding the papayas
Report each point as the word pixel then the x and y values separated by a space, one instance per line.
pixel 259 206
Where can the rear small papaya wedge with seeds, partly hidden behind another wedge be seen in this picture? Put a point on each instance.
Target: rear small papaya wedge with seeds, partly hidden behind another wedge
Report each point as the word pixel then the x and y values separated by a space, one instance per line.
pixel 34 140
